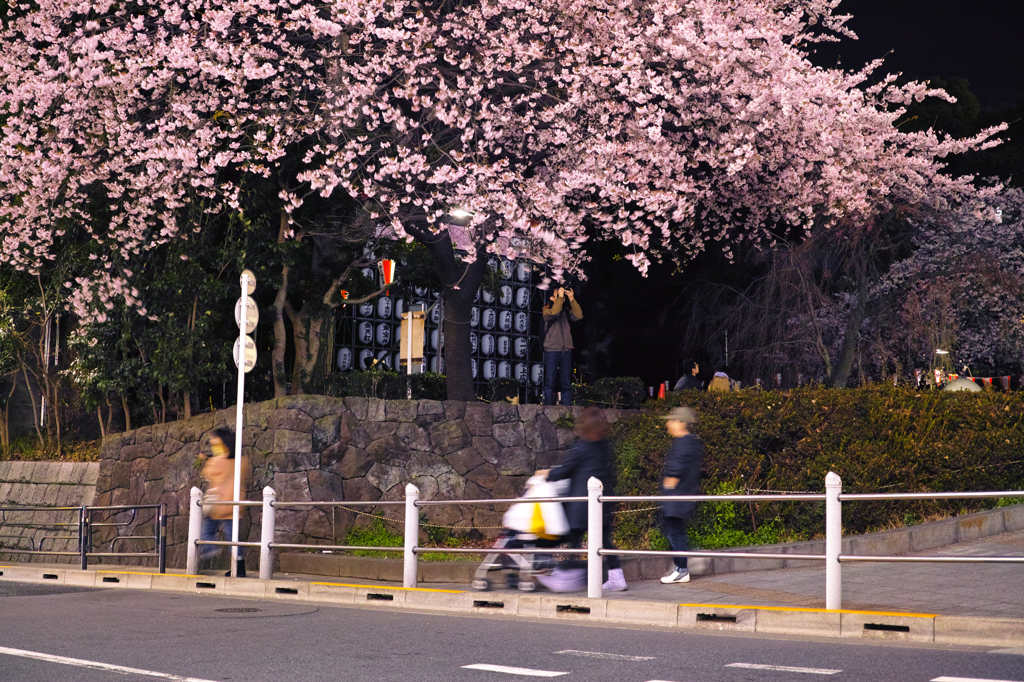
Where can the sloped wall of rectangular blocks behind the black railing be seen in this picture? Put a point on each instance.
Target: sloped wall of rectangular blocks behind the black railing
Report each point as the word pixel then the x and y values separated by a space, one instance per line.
pixel 44 485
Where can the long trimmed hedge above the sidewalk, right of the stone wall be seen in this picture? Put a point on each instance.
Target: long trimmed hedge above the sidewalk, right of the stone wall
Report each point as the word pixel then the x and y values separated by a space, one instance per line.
pixel 879 440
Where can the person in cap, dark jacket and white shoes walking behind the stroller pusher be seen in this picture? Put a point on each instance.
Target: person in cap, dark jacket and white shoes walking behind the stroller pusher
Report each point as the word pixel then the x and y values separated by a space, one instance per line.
pixel 681 477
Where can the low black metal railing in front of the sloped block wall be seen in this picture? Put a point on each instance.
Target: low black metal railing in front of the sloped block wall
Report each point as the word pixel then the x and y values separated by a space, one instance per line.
pixel 86 525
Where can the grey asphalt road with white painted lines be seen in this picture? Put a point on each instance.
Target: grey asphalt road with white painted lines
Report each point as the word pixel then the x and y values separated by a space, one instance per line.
pixel 192 637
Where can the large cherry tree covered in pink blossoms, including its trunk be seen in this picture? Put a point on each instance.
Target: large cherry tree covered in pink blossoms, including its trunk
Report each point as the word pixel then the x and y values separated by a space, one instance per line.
pixel 662 125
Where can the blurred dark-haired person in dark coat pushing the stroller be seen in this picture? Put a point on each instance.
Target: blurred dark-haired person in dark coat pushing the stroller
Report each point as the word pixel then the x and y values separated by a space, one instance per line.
pixel 591 456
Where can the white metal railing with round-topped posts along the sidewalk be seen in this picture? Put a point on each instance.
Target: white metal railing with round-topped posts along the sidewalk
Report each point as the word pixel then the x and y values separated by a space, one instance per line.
pixel 833 558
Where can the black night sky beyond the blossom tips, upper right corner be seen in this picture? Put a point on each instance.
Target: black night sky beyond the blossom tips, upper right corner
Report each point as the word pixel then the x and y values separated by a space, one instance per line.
pixel 979 40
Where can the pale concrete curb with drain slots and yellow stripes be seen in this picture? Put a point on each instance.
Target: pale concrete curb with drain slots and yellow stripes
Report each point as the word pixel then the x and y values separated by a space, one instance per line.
pixel 770 620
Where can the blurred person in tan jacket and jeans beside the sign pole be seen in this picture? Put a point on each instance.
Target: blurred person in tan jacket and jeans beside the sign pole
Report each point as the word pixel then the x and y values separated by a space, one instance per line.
pixel 220 474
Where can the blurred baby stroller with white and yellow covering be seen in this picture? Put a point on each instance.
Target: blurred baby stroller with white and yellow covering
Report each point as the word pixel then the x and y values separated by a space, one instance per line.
pixel 528 525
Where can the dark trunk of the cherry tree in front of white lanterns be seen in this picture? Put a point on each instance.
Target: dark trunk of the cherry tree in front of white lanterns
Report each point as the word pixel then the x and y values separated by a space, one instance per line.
pixel 460 283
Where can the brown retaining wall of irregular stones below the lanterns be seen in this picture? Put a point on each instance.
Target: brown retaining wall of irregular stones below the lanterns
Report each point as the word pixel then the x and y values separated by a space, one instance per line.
pixel 320 449
